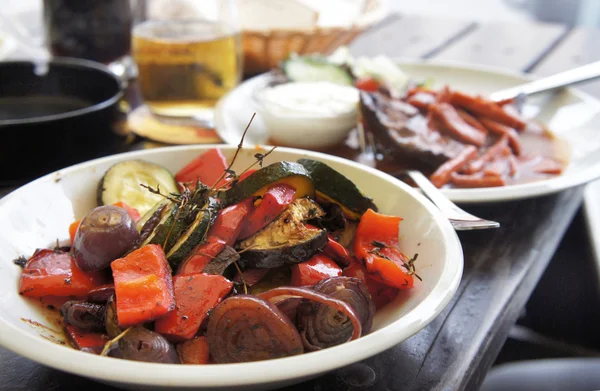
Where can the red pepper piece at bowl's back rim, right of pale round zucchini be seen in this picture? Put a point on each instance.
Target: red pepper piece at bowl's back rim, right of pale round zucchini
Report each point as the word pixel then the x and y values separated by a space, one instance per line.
pixel 208 168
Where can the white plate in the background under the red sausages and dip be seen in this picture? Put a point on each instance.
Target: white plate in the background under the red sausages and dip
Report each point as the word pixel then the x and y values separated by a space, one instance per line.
pixel 572 115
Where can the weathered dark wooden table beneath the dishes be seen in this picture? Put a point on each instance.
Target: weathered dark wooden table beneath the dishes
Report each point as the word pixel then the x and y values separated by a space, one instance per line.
pixel 502 267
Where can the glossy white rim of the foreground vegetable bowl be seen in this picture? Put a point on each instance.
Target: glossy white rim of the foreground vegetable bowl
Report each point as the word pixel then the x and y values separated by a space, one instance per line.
pixel 255 373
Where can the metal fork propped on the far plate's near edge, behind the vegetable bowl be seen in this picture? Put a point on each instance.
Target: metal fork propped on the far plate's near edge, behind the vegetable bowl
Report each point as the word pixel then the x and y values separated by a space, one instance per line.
pixel 460 220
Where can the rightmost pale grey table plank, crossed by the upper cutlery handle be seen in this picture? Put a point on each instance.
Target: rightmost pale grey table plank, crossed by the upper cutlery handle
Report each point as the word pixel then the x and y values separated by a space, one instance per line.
pixel 575 50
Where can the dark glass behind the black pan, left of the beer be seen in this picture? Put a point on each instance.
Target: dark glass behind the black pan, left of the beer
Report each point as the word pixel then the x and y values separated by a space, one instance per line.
pixel 98 30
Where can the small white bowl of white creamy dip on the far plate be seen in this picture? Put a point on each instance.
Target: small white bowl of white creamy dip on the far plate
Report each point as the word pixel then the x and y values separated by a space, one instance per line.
pixel 312 115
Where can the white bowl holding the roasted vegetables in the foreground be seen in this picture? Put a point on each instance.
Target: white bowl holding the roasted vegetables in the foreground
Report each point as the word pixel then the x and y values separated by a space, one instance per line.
pixel 38 213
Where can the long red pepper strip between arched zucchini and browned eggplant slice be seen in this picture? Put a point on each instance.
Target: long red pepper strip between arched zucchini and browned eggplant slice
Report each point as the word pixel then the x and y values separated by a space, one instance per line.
pixel 274 202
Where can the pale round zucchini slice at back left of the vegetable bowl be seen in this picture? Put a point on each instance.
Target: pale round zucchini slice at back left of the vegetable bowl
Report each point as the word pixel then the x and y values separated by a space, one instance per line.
pixel 122 181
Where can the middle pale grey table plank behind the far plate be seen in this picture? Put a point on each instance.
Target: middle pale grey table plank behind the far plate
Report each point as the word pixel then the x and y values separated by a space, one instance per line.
pixel 511 46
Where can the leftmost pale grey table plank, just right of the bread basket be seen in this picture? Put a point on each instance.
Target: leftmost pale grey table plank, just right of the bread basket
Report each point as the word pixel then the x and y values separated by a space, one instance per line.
pixel 409 36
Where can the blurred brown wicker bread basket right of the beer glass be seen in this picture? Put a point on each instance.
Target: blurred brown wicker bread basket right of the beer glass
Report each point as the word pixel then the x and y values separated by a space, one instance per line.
pixel 264 50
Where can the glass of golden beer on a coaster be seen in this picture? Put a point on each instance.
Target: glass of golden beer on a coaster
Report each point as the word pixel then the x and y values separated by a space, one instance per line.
pixel 188 56
